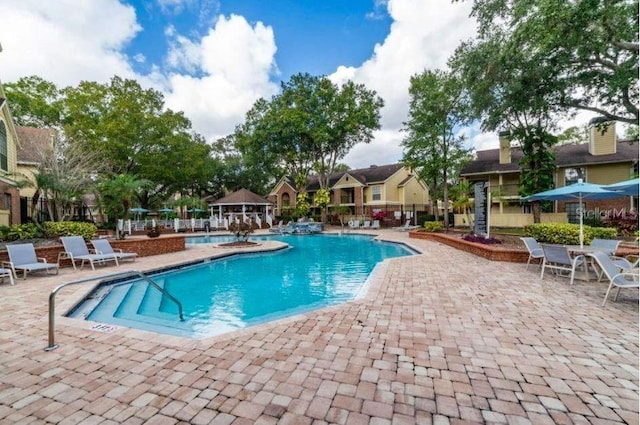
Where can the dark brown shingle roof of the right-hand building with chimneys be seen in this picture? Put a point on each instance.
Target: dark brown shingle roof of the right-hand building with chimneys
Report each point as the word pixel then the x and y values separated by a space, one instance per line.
pixel 487 161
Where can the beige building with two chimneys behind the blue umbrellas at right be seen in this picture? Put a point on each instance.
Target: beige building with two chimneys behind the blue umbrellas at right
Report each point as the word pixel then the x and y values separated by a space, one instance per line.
pixel 603 159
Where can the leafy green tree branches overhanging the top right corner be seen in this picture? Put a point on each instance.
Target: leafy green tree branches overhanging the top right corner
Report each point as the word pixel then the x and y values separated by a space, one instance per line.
pixel 585 52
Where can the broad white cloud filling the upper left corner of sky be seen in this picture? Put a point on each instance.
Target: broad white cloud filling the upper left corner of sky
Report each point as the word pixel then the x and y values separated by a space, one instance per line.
pixel 65 41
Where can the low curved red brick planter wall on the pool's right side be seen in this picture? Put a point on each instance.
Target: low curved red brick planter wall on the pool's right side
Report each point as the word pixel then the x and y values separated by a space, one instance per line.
pixel 490 252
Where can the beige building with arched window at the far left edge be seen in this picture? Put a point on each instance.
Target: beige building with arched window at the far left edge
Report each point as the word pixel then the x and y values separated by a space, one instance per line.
pixel 10 203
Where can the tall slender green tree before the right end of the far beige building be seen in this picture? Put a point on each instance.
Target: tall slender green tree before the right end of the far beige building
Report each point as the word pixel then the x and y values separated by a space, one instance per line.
pixel 437 108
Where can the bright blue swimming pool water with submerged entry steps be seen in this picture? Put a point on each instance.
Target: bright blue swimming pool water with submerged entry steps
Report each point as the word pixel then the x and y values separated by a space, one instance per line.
pixel 244 290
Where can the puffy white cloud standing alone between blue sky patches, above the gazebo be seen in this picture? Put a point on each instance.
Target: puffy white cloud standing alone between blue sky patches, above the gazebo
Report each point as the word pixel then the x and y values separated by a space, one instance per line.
pixel 235 60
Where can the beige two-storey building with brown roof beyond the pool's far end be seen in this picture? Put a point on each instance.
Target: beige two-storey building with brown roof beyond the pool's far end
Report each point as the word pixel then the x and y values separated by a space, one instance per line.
pixel 389 189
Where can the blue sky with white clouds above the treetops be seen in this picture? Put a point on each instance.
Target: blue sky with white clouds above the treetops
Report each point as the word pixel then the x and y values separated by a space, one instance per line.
pixel 212 59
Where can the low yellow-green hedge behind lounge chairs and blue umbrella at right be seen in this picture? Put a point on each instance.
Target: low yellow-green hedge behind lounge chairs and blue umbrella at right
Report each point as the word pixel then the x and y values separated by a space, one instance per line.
pixel 567 233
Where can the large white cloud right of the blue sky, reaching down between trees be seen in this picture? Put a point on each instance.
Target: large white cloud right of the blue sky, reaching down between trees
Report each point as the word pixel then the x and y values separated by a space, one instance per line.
pixel 423 35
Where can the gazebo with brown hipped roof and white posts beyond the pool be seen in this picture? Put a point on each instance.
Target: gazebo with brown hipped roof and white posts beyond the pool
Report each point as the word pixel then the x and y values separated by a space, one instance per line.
pixel 241 205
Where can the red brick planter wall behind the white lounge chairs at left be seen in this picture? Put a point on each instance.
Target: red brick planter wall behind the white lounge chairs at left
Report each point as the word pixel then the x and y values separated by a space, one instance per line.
pixel 144 248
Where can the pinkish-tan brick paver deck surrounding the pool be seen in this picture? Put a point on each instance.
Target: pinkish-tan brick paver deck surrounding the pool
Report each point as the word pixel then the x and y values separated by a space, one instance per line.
pixel 440 338
